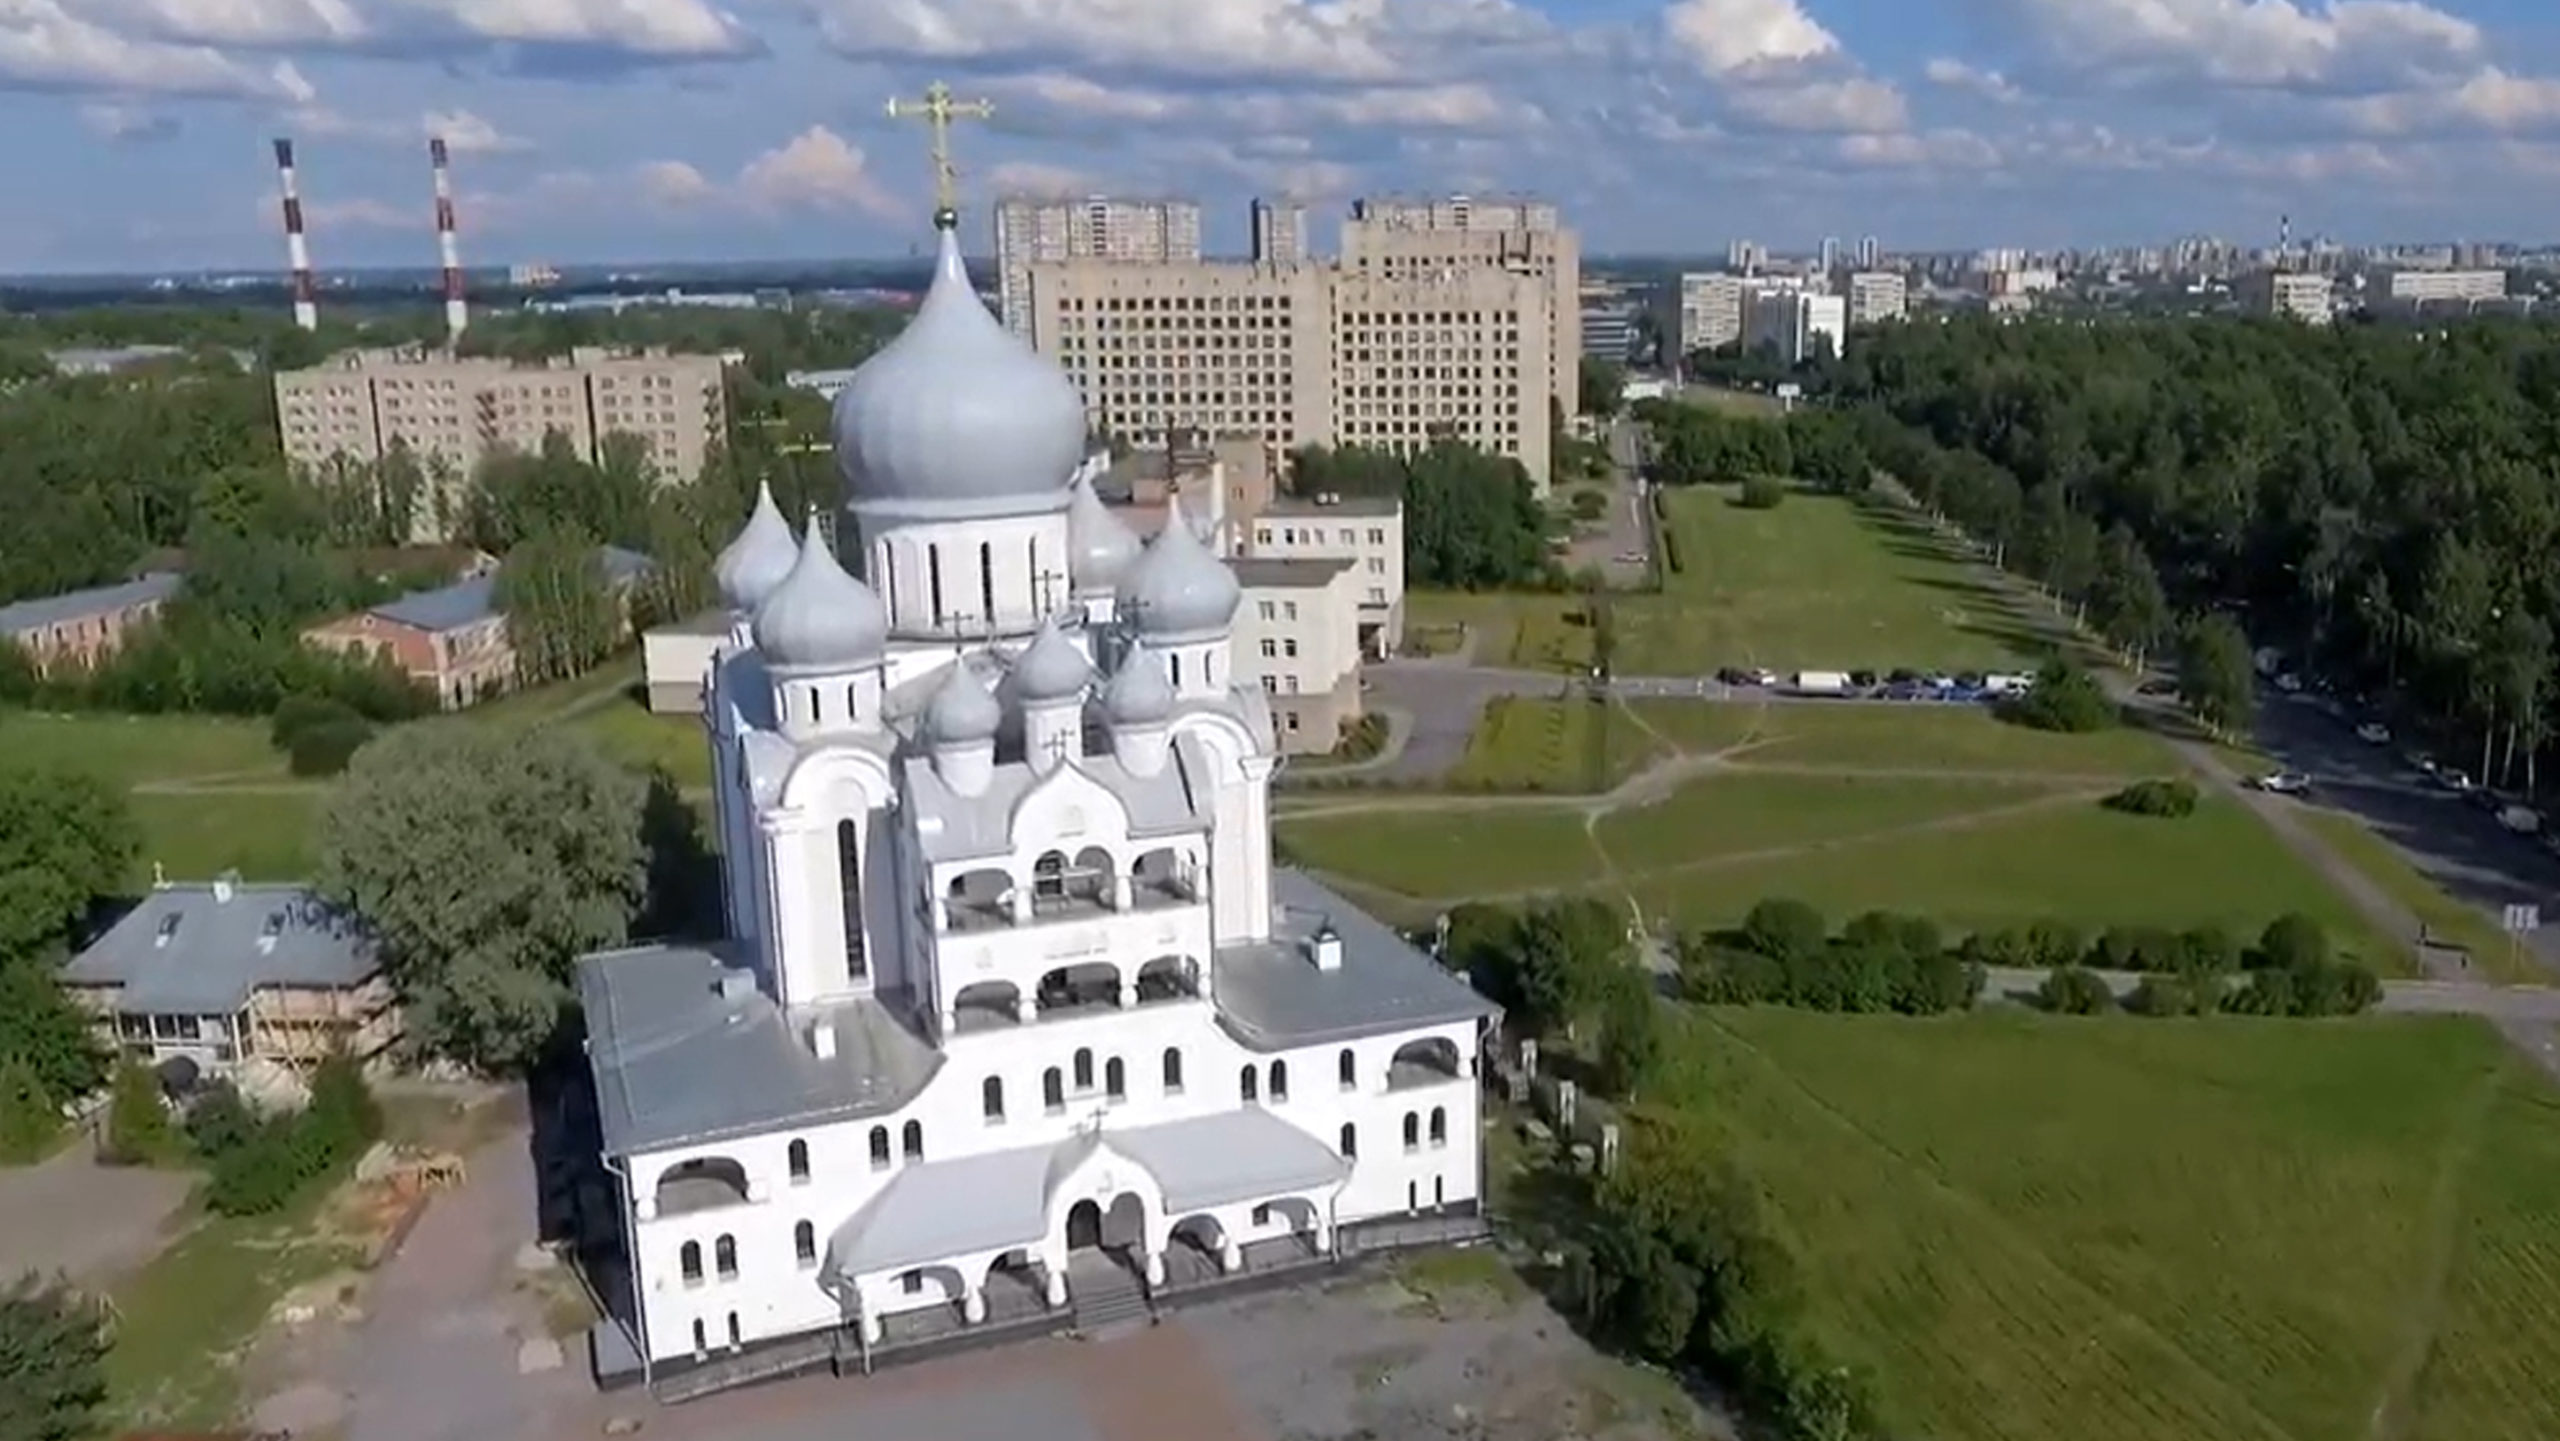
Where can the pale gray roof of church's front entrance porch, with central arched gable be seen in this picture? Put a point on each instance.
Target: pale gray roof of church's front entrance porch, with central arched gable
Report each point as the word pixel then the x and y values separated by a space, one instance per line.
pixel 1002 1199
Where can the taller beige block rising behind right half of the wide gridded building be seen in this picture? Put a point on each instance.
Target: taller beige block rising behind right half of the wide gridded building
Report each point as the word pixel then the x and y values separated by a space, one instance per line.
pixel 1422 239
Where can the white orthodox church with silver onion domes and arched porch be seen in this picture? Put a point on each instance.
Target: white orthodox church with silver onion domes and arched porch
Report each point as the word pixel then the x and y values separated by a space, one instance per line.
pixel 1018 1015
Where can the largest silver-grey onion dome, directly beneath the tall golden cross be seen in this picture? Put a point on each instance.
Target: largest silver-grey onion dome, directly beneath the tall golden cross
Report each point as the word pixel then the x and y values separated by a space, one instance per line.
pixel 959 416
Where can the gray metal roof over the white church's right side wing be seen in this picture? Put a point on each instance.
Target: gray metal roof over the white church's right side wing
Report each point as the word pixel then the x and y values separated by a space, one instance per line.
pixel 1271 994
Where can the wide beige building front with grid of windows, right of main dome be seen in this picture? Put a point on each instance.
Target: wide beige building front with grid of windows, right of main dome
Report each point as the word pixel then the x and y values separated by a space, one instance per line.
pixel 1307 354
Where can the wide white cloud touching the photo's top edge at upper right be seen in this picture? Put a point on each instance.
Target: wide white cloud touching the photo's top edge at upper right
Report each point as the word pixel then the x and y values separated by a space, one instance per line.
pixel 2280 45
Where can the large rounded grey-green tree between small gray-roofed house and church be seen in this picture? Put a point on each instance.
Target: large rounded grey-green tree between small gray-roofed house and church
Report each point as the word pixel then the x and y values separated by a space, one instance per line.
pixel 485 861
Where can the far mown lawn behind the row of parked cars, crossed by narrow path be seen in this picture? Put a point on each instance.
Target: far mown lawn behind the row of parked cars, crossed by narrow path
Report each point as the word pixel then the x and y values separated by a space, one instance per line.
pixel 1814 585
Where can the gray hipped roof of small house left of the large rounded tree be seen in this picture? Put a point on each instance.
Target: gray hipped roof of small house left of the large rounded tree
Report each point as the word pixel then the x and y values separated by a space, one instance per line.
pixel 191 951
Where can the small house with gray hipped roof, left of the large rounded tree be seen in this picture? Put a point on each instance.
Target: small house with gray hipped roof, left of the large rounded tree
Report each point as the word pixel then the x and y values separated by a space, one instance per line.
pixel 224 974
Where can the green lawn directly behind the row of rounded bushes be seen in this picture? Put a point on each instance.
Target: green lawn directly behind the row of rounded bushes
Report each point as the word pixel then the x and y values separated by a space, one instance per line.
pixel 2077 864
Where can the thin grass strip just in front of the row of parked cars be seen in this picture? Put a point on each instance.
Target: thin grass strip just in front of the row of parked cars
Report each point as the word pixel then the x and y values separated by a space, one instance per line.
pixel 1901 738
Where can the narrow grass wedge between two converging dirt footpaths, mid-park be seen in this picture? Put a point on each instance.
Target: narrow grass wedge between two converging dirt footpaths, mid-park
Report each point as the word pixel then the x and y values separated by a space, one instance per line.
pixel 1750 813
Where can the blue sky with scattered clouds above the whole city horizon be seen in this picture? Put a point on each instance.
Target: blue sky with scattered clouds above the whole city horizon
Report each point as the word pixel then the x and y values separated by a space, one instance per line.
pixel 751 129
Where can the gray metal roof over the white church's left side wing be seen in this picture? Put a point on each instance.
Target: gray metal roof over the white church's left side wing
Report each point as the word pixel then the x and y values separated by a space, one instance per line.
pixel 682 1063
